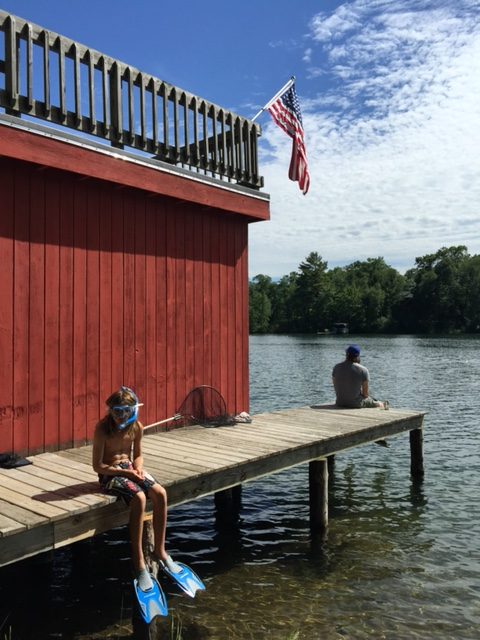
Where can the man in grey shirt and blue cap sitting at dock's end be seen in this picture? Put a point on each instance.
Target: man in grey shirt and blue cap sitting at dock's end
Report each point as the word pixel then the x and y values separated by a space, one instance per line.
pixel 350 379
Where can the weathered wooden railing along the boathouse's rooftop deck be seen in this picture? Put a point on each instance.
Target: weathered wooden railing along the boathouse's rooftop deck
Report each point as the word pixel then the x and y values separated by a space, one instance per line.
pixel 48 76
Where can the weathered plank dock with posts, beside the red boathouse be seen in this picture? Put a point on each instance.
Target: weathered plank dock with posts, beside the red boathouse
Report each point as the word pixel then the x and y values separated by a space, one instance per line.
pixel 56 500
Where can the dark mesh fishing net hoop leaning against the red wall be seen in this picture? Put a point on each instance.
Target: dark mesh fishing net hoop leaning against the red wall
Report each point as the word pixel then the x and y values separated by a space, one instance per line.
pixel 205 406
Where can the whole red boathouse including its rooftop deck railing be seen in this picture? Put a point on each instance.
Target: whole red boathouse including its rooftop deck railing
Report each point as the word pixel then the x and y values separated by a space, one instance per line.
pixel 124 259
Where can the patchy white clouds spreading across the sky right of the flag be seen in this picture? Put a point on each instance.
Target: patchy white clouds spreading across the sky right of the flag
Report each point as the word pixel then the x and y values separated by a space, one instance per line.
pixel 393 140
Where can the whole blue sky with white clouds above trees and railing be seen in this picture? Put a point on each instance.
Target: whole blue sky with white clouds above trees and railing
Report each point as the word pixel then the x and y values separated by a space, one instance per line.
pixel 390 95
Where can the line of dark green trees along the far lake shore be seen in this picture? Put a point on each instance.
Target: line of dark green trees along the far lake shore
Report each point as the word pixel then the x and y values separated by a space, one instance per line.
pixel 441 294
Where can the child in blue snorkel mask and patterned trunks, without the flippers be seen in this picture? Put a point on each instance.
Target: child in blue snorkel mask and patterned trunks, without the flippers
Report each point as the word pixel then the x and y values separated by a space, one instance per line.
pixel 117 458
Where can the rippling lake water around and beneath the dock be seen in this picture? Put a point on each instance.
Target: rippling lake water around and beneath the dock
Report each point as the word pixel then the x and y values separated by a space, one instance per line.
pixel 402 558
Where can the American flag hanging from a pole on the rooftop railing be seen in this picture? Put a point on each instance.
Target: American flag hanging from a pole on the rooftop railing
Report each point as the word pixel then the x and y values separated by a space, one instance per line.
pixel 285 111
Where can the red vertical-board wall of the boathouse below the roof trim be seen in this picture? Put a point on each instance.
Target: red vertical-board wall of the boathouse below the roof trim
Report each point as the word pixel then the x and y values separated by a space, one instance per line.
pixel 104 285
